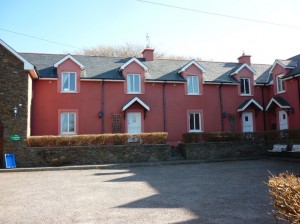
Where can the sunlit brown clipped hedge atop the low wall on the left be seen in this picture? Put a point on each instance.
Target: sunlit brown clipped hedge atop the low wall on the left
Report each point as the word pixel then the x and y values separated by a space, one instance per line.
pixel 94 140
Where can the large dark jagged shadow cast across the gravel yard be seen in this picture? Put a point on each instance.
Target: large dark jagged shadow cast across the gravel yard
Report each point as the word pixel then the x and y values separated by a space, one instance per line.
pixel 223 192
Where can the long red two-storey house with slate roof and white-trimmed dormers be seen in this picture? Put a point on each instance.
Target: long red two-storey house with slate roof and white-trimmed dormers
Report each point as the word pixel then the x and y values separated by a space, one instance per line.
pixel 78 94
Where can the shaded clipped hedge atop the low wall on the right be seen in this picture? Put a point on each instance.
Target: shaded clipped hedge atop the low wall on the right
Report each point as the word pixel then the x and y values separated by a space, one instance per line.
pixel 291 134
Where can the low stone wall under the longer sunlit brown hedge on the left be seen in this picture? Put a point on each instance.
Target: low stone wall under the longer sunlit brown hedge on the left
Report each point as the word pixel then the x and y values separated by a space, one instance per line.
pixel 81 155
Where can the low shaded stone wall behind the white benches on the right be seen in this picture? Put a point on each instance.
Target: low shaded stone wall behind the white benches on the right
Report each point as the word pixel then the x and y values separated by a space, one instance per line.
pixel 229 150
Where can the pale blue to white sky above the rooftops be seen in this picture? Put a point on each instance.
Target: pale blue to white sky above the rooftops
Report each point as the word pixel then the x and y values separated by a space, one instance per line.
pixel 78 24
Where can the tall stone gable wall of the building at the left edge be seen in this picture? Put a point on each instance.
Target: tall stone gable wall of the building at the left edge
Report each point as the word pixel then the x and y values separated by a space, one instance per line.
pixel 13 92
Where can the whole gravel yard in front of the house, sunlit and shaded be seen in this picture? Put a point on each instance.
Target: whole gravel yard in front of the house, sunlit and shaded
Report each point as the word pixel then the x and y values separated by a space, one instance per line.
pixel 222 192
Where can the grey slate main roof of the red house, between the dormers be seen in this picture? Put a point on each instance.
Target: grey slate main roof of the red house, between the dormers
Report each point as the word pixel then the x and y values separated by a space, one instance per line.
pixel 158 70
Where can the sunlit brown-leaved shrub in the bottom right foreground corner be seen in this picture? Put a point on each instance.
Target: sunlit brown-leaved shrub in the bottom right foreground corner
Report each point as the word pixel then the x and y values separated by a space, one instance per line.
pixel 285 191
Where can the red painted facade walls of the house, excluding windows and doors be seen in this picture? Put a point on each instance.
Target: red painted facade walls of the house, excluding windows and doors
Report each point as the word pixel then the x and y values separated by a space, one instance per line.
pixel 48 101
